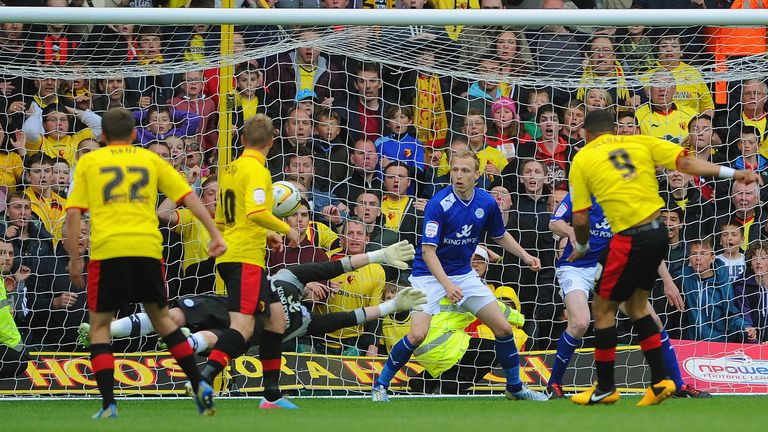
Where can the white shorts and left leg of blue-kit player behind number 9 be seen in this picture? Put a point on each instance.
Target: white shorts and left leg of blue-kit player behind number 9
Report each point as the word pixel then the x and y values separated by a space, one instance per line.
pixel 576 284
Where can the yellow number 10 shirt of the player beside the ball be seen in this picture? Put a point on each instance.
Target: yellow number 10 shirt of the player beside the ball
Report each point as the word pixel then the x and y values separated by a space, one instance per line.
pixel 244 189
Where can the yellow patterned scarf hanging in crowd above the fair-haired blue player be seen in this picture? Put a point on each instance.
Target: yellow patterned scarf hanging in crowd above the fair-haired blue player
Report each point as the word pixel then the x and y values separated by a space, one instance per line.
pixel 431 120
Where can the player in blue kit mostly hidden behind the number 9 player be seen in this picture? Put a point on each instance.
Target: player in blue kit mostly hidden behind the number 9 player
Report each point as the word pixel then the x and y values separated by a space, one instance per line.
pixel 577 278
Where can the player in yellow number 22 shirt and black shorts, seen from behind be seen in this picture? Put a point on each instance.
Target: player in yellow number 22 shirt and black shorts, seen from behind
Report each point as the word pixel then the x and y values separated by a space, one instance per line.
pixel 118 185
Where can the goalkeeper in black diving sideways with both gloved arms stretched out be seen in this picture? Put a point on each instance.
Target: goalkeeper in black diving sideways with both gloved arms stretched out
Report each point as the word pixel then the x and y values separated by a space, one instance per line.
pixel 207 317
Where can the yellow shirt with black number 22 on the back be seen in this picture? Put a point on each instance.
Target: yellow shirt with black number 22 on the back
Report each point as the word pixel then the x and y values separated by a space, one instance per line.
pixel 119 186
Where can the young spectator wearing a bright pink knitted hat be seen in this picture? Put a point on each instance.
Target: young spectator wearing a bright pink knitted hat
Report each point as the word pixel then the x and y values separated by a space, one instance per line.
pixel 506 133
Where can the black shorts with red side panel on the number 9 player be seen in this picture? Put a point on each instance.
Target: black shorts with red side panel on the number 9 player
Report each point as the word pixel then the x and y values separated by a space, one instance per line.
pixel 631 261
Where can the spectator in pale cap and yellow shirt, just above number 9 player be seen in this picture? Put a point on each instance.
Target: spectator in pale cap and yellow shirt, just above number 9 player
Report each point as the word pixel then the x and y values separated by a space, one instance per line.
pixel 662 117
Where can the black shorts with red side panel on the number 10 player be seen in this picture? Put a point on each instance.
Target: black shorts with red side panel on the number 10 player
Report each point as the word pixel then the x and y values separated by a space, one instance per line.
pixel 247 286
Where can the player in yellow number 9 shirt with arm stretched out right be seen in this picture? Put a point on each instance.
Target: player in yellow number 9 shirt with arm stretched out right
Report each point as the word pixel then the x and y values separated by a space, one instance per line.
pixel 620 171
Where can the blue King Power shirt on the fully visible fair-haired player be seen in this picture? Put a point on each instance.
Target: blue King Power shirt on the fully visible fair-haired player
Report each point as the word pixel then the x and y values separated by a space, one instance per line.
pixel 454 227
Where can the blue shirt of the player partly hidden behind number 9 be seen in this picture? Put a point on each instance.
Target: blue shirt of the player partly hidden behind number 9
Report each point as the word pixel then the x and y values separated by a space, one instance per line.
pixel 599 233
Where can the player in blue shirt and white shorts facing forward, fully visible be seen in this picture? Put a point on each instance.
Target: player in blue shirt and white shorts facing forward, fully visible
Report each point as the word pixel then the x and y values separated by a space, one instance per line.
pixel 454 220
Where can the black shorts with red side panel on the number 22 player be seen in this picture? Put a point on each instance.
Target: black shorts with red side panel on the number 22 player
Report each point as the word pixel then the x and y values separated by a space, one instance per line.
pixel 116 282
